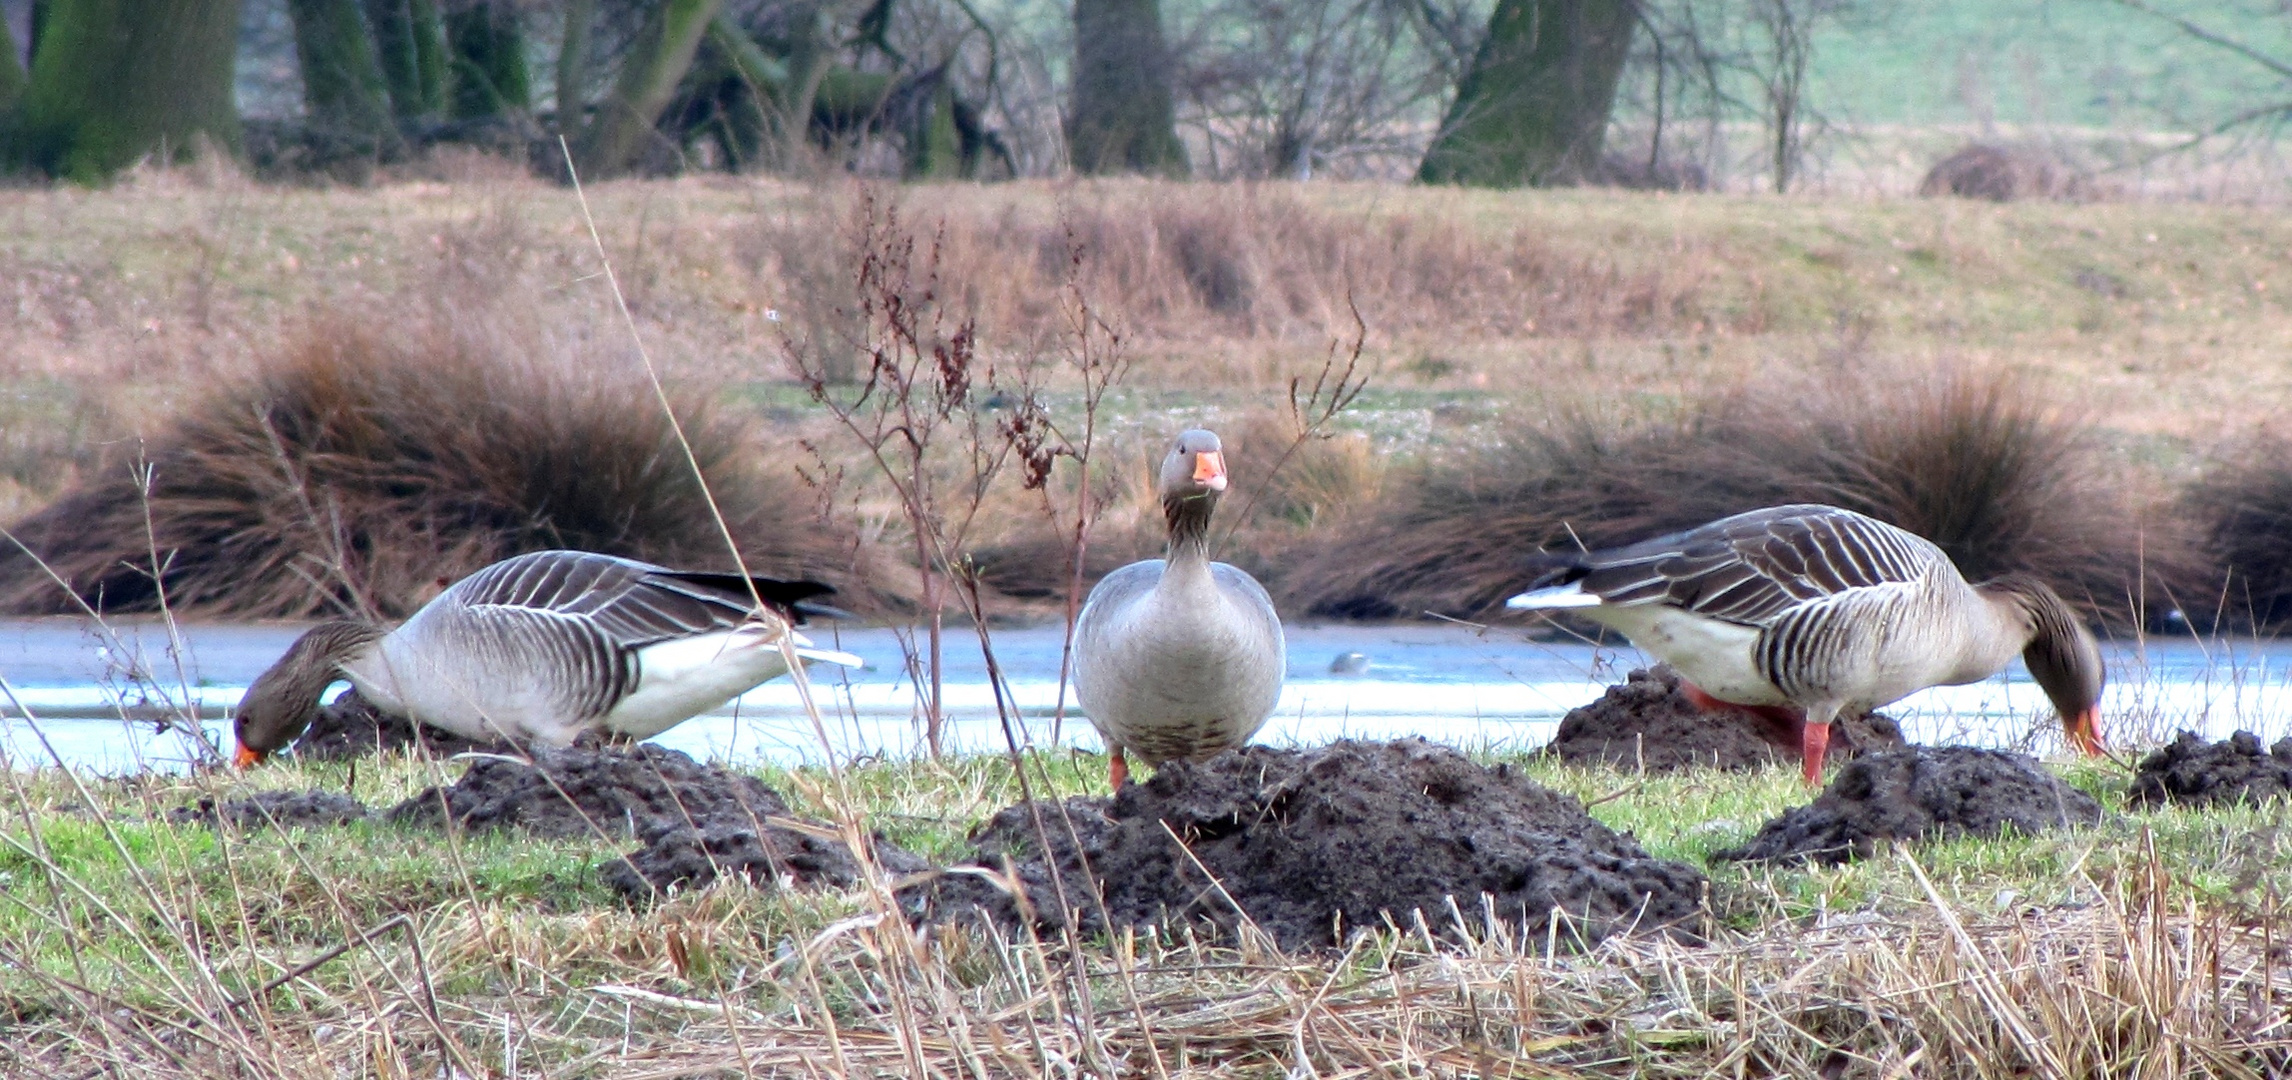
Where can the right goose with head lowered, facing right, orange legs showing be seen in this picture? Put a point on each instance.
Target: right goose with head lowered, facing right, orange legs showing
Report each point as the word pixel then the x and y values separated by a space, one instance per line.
pixel 1826 611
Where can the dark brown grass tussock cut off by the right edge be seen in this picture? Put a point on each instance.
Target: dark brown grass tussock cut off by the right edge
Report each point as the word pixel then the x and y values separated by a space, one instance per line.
pixel 2243 510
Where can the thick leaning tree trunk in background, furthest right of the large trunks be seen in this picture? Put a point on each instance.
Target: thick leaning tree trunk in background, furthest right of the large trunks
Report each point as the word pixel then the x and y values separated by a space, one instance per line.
pixel 1537 100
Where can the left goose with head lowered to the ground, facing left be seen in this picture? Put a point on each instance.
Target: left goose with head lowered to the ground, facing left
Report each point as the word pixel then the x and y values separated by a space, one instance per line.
pixel 544 648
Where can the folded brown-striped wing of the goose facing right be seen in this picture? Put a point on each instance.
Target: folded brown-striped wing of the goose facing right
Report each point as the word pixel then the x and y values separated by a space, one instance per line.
pixel 1752 568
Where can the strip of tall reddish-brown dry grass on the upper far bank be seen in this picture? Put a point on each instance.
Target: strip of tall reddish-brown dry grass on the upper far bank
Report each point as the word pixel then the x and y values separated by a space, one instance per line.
pixel 1195 263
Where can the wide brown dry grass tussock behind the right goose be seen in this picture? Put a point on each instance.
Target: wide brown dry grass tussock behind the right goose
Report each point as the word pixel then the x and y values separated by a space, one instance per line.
pixel 1970 462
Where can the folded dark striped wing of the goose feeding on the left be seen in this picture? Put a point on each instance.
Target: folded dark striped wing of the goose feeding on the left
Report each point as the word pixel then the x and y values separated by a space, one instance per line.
pixel 631 604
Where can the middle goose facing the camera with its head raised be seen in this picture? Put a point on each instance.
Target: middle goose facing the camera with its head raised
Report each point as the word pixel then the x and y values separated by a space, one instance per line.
pixel 1179 659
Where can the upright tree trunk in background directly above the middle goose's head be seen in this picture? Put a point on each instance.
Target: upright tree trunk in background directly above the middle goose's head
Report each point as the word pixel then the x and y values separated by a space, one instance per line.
pixel 1124 118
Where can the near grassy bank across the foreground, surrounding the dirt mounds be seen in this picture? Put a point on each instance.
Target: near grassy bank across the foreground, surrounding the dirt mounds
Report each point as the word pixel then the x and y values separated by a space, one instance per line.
pixel 2142 948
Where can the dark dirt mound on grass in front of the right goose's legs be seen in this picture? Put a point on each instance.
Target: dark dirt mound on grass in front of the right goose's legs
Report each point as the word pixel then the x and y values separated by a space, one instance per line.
pixel 1920 795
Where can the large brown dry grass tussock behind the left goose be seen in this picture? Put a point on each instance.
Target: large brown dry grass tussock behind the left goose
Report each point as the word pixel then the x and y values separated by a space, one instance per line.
pixel 363 464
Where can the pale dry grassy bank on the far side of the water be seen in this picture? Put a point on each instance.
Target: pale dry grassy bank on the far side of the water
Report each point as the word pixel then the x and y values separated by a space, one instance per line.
pixel 2144 336
